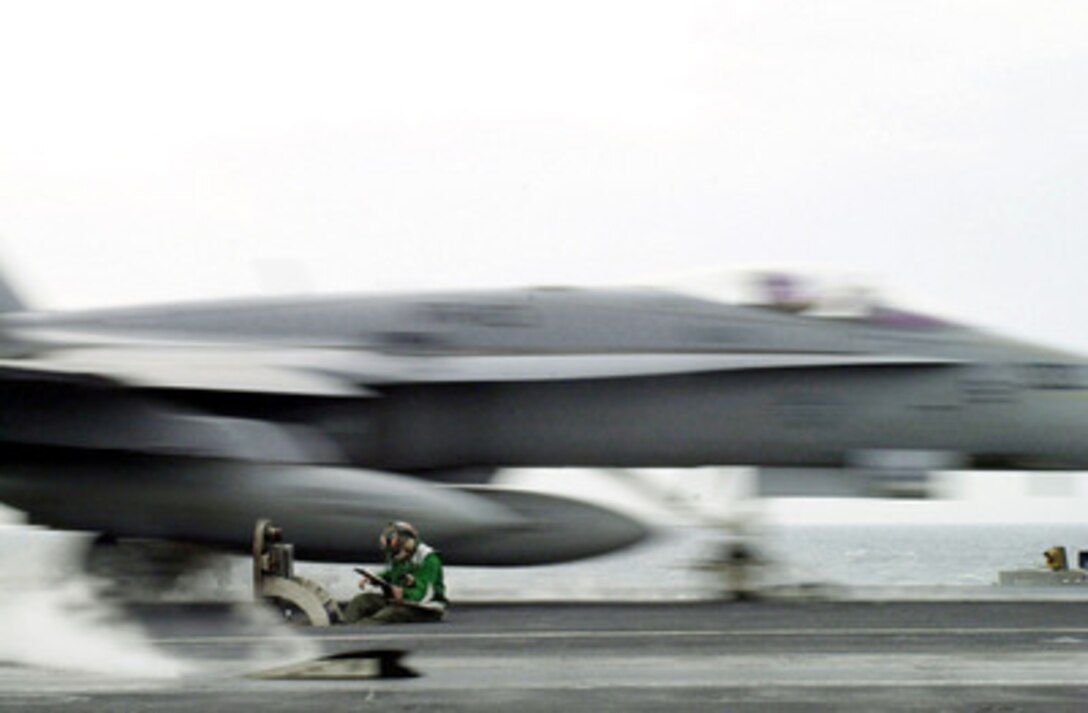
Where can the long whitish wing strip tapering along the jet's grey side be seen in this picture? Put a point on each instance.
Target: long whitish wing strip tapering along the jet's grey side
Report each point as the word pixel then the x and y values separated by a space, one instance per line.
pixel 344 373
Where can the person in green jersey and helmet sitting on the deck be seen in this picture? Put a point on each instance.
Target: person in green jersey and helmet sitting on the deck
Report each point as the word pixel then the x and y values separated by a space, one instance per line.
pixel 412 584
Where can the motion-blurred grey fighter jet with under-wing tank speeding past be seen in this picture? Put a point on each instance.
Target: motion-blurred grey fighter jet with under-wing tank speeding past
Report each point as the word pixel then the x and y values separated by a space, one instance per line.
pixel 327 414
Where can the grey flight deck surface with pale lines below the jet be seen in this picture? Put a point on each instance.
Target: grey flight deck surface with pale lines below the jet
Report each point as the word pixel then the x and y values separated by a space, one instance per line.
pixel 795 656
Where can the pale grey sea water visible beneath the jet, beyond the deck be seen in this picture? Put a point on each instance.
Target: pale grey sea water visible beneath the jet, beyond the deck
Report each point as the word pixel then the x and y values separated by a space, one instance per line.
pixel 844 560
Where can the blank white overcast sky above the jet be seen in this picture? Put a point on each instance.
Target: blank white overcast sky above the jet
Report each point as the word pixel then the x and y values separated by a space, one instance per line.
pixel 170 151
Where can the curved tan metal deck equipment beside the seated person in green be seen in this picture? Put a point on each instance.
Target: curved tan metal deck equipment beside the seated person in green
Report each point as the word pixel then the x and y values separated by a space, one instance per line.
pixel 299 599
